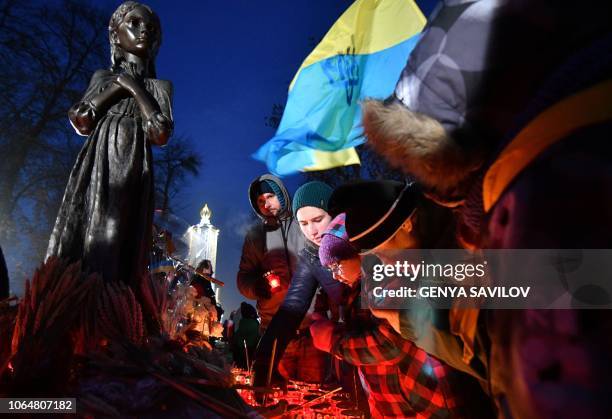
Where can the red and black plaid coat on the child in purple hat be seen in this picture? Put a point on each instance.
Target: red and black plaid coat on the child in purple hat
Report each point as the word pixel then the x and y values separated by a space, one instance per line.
pixel 400 379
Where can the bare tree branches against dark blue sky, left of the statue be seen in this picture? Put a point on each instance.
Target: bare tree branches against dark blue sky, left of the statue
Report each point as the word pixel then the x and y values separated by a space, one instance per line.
pixel 47 55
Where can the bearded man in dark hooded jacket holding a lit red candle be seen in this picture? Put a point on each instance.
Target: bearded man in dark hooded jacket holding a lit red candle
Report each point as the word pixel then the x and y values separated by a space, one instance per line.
pixel 270 248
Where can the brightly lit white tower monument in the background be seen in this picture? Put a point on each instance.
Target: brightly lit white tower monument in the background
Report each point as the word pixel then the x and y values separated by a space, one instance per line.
pixel 202 241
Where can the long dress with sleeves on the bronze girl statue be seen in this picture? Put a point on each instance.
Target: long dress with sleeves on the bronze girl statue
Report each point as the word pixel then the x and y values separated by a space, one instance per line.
pixel 106 215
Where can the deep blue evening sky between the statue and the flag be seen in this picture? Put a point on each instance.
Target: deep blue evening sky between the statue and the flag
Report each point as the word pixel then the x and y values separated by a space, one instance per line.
pixel 230 61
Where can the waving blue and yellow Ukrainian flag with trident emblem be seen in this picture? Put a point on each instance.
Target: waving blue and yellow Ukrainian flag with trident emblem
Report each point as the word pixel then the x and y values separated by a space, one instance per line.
pixel 360 57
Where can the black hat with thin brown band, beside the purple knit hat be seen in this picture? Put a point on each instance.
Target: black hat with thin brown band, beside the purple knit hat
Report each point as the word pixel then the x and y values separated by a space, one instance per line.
pixel 375 210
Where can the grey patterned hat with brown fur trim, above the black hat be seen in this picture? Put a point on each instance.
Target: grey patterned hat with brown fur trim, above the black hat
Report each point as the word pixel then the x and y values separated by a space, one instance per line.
pixel 433 126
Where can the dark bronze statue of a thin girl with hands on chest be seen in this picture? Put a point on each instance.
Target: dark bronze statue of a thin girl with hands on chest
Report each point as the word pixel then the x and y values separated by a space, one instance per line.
pixel 106 215
